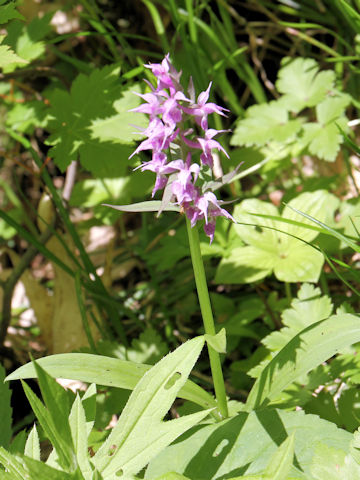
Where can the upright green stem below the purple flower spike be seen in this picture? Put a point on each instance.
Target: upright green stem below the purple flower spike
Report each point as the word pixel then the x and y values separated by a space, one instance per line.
pixel 208 319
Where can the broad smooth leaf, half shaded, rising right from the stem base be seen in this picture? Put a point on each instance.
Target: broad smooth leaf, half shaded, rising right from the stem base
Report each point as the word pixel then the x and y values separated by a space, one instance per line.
pixel 308 349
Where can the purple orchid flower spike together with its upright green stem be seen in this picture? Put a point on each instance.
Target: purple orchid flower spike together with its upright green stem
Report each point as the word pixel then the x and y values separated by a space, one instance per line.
pixel 177 133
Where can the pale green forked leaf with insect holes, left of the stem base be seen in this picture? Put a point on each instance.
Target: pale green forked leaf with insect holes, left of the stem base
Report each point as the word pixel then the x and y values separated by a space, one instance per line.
pixel 147 405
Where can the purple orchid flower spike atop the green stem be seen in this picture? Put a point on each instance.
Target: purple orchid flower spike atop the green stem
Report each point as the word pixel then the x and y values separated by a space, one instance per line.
pixel 174 121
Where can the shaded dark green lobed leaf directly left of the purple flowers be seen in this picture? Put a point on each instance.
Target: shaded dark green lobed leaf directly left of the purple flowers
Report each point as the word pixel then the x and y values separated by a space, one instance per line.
pixel 81 125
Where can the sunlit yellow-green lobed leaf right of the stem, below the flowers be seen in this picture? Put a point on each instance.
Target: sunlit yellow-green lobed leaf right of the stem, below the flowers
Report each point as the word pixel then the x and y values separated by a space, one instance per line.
pixel 270 250
